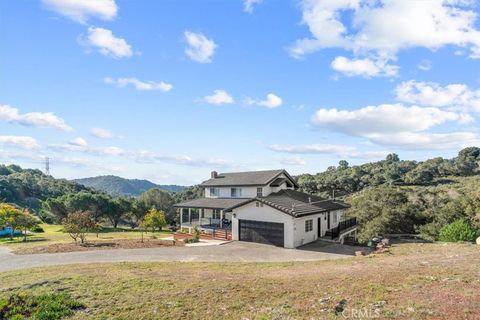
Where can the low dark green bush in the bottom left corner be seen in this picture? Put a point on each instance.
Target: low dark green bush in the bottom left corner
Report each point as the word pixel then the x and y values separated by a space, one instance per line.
pixel 42 307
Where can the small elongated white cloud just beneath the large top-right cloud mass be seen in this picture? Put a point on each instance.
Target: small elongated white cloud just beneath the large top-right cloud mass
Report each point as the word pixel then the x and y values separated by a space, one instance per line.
pixel 363 67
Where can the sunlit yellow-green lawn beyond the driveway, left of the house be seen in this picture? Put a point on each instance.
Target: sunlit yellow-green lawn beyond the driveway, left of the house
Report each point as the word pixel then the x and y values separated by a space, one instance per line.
pixel 54 235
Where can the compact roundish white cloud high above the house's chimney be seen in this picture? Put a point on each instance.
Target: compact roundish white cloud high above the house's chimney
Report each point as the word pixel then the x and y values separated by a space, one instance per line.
pixel 200 48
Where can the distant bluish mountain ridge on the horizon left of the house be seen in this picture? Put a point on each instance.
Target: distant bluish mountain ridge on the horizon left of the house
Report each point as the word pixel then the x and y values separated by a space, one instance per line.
pixel 120 186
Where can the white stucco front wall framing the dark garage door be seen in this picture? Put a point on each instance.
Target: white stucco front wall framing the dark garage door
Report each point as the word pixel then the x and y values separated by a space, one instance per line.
pixel 265 213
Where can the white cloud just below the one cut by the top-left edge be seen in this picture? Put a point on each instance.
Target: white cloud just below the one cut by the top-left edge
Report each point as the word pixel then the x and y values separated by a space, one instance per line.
pixel 107 43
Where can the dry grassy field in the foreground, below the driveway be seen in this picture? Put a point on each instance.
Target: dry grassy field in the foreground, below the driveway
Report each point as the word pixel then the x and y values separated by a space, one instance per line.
pixel 415 281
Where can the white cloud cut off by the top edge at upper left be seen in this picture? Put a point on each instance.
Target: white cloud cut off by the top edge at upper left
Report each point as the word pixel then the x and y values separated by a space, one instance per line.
pixel 81 10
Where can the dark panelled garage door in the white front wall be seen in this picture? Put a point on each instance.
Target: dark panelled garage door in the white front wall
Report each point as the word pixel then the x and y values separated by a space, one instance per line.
pixel 261 232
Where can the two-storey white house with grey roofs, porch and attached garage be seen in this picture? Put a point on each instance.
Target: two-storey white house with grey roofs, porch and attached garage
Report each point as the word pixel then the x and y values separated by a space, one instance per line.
pixel 265 207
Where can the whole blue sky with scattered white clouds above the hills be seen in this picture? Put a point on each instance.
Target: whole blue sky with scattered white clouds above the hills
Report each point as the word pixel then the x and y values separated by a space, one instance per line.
pixel 170 90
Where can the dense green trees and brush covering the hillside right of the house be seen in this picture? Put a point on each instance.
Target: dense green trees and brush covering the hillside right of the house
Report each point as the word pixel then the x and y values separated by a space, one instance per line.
pixel 405 197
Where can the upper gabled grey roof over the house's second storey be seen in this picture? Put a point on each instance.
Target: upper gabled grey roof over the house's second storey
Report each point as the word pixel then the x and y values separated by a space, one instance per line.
pixel 250 178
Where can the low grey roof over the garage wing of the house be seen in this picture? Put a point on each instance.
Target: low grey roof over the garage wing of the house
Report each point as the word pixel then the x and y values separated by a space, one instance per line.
pixel 296 203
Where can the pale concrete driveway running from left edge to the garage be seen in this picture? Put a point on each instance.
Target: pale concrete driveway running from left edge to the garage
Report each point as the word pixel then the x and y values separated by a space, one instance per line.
pixel 229 252
